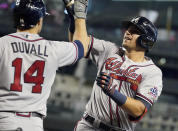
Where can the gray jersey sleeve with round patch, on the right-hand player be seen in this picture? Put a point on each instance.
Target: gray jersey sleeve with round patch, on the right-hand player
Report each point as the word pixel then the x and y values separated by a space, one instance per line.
pixel 150 88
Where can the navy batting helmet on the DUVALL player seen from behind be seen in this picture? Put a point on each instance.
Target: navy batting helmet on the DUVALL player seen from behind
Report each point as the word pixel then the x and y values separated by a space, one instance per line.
pixel 27 13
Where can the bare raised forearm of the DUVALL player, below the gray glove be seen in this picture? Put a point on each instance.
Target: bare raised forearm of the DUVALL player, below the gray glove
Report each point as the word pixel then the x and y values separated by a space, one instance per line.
pixel 81 34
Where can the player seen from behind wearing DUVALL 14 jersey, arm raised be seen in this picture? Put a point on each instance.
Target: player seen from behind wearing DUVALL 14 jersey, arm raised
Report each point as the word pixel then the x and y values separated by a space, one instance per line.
pixel 28 65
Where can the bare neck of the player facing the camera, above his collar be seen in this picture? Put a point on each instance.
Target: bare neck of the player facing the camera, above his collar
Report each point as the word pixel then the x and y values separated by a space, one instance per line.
pixel 136 56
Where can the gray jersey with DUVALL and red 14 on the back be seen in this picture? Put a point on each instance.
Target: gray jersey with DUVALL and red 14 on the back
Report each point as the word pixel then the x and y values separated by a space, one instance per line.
pixel 28 65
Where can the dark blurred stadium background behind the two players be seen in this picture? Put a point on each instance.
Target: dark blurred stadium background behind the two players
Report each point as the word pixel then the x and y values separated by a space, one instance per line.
pixel 73 85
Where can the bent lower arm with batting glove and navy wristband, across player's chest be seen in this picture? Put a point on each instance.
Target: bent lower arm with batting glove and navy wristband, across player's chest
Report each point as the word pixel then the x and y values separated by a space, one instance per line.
pixel 132 106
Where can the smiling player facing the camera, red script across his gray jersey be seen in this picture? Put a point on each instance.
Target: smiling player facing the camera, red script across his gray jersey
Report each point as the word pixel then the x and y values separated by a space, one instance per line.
pixel 128 83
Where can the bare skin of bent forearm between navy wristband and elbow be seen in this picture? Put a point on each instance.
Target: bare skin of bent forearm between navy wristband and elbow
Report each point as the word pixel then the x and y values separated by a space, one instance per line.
pixel 133 107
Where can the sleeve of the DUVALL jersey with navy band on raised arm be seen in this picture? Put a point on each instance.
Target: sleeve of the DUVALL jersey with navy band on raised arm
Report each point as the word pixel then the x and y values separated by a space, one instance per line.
pixel 68 53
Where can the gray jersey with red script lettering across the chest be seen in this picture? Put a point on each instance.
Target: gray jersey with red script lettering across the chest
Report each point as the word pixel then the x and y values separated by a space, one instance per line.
pixel 142 81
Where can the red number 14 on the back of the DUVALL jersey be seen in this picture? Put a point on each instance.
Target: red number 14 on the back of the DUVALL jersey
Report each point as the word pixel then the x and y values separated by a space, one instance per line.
pixel 38 79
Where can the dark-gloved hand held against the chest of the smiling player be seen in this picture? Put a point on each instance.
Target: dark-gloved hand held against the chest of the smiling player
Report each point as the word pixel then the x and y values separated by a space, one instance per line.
pixel 105 82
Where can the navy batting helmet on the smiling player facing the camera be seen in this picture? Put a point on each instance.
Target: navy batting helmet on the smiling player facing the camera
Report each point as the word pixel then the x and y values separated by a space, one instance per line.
pixel 148 31
